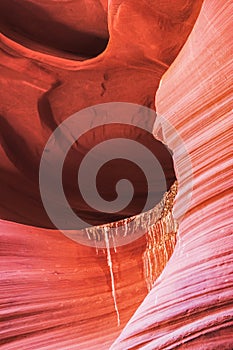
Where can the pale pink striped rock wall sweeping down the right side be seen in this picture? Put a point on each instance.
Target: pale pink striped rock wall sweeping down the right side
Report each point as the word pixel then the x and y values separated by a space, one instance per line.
pixel 191 304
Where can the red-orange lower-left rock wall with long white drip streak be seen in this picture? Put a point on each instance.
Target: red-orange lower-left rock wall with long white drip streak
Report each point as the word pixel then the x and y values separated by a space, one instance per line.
pixel 56 293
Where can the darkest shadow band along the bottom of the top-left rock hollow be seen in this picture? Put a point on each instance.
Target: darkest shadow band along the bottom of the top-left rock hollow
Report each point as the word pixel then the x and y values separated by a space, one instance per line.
pixel 31 25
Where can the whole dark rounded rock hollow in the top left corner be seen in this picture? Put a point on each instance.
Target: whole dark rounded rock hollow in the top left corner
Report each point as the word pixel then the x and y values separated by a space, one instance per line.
pixel 74 29
